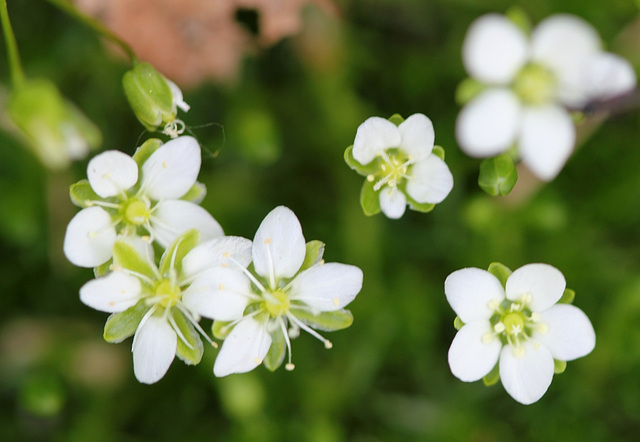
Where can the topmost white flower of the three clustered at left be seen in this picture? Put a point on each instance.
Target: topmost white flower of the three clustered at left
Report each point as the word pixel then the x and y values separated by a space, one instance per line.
pixel 122 202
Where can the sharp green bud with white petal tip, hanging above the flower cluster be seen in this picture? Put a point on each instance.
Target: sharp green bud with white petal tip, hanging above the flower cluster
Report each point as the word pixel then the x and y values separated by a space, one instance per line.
pixel 153 98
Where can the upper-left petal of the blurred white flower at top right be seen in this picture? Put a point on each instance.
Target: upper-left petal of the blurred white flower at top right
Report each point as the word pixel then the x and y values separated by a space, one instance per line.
pixel 494 49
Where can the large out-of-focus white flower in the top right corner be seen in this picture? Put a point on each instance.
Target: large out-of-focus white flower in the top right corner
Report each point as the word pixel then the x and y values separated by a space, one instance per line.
pixel 530 83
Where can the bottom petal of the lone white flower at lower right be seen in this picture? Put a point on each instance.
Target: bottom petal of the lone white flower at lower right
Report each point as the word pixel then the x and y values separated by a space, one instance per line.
pixel 526 377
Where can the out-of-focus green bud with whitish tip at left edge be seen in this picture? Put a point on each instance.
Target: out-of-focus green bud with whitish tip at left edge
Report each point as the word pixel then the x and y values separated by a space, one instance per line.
pixel 52 127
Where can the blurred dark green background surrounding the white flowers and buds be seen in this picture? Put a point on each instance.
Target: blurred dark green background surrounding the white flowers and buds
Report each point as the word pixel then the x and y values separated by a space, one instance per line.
pixel 275 134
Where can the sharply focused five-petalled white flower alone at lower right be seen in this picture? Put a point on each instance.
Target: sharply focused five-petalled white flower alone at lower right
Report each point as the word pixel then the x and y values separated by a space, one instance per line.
pixel 521 326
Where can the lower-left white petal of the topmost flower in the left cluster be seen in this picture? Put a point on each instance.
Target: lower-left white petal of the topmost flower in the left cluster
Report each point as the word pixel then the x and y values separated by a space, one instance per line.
pixel 89 239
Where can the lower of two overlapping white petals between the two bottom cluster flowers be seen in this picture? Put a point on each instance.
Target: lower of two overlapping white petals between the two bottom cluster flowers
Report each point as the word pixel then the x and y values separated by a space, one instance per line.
pixel 219 293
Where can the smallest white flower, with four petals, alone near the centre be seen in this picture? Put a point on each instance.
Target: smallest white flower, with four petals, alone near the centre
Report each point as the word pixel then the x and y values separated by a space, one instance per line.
pixel 407 165
